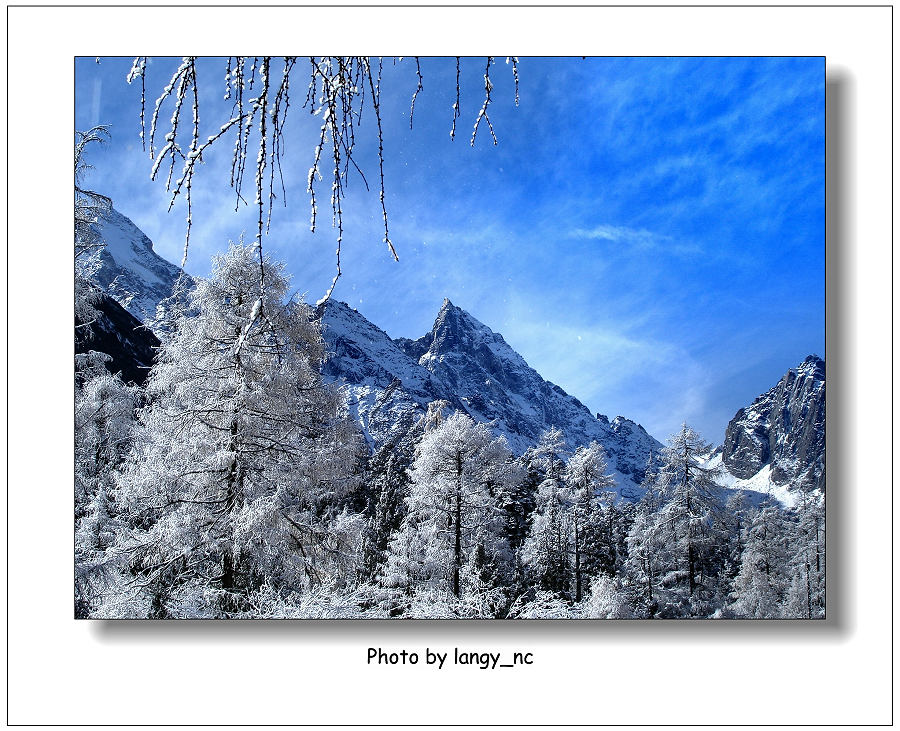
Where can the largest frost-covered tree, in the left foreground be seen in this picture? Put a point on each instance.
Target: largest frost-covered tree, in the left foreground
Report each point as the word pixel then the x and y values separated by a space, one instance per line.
pixel 242 450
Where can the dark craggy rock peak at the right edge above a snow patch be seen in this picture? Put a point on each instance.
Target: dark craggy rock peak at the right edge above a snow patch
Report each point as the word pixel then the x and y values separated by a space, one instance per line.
pixel 784 428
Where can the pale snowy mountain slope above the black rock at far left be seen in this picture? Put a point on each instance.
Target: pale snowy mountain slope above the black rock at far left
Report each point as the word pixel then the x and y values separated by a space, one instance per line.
pixel 131 272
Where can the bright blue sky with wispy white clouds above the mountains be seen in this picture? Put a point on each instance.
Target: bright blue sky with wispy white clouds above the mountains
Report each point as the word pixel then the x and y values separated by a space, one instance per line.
pixel 648 233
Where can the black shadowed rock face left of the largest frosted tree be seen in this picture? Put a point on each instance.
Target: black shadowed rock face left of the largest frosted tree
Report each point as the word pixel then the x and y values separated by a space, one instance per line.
pixel 116 332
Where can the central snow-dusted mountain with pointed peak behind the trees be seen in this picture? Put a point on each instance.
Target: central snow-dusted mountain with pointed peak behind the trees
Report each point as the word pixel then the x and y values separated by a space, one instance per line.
pixel 390 383
